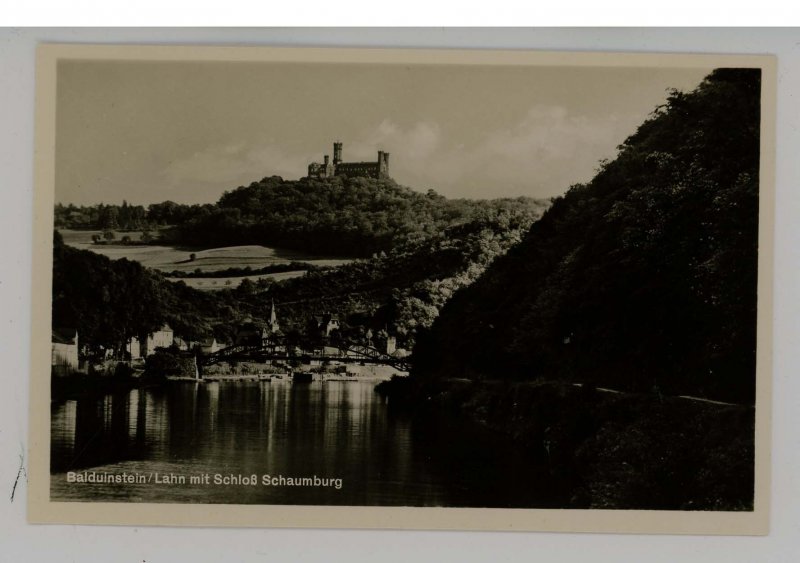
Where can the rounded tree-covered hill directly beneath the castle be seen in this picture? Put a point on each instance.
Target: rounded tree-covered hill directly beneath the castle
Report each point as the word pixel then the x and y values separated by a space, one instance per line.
pixel 339 216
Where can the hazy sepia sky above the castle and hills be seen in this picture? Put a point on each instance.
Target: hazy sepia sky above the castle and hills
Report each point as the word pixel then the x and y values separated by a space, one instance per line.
pixel 147 132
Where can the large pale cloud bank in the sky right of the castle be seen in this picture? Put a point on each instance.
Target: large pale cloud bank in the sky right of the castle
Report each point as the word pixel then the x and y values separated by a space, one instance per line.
pixel 542 154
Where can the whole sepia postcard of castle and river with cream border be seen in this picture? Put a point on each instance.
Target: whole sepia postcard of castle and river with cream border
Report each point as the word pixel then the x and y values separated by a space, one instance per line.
pixel 351 278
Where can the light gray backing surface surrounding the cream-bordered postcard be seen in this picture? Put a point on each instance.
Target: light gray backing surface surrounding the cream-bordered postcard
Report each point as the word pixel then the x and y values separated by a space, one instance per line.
pixel 22 542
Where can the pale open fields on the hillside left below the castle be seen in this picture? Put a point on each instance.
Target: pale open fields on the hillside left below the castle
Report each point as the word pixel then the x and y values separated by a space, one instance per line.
pixel 170 258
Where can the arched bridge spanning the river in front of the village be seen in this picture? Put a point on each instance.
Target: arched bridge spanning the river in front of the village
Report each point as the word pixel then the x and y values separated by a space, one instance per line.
pixel 279 349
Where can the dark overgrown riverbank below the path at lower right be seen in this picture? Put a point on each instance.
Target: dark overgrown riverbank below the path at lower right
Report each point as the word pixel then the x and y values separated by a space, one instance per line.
pixel 614 450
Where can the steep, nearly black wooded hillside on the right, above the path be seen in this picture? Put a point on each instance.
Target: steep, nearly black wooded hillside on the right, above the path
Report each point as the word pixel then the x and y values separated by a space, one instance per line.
pixel 644 279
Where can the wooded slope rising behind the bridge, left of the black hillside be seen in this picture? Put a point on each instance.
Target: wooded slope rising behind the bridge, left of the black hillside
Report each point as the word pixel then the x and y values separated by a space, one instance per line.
pixel 400 291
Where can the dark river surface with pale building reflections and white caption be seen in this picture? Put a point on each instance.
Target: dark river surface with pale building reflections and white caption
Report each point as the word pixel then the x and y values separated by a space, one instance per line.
pixel 331 430
